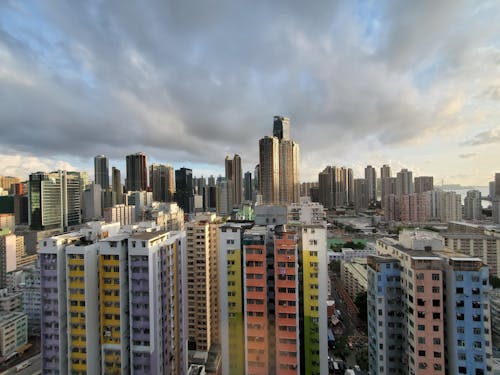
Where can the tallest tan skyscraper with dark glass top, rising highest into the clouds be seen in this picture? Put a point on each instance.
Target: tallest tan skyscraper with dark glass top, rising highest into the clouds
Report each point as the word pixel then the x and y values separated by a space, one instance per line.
pixel 279 168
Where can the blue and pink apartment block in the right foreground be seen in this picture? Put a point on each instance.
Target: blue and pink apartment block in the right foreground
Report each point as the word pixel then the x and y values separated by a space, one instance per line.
pixel 416 336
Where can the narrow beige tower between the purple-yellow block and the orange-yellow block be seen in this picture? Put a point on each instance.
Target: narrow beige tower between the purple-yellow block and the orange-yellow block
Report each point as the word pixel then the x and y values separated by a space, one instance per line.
pixel 202 288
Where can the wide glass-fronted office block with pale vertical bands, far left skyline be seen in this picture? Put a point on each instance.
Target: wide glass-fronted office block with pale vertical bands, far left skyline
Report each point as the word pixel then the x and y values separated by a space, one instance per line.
pixel 54 200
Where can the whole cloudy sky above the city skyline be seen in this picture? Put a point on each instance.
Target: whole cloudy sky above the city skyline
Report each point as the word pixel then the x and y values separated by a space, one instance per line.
pixel 412 84
